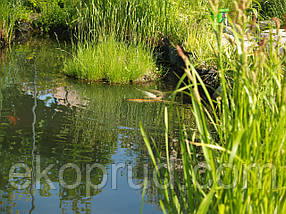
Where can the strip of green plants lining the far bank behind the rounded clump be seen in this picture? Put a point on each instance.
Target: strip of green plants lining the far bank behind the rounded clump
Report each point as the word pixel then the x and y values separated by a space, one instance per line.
pixel 132 21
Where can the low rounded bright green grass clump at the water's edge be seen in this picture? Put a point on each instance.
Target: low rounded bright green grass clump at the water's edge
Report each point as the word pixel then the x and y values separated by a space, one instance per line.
pixel 116 62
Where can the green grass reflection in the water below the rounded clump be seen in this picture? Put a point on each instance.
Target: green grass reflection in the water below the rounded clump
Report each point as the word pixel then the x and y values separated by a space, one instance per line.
pixel 96 127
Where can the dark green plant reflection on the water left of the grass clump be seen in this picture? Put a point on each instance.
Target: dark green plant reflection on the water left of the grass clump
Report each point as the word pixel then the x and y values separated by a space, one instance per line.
pixel 22 58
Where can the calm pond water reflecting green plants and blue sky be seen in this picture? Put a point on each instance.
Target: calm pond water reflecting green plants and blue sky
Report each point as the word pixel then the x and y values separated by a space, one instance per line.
pixel 79 132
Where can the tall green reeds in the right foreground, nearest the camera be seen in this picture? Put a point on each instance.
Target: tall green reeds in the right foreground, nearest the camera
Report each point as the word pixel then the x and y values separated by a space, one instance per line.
pixel 240 137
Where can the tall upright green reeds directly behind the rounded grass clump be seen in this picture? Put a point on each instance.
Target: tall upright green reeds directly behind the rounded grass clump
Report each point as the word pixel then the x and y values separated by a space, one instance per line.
pixel 136 20
